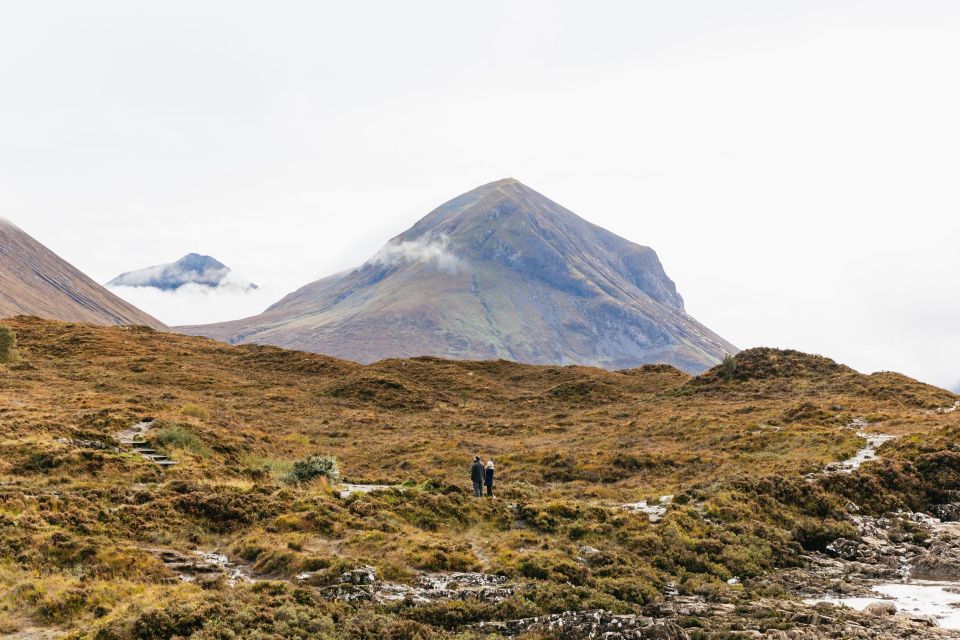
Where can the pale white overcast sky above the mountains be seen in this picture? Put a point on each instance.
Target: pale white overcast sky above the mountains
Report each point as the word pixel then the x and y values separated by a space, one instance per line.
pixel 794 164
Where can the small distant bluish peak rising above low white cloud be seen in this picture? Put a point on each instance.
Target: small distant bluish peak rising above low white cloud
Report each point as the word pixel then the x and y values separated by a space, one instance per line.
pixel 192 268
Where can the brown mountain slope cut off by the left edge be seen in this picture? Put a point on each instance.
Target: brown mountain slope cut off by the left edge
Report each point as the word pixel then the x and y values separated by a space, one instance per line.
pixel 35 281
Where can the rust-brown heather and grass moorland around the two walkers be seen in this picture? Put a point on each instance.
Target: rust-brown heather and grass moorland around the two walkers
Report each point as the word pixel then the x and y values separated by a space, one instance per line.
pixel 571 445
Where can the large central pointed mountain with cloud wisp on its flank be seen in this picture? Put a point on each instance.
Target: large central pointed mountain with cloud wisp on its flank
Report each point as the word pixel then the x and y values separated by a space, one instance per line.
pixel 498 272
